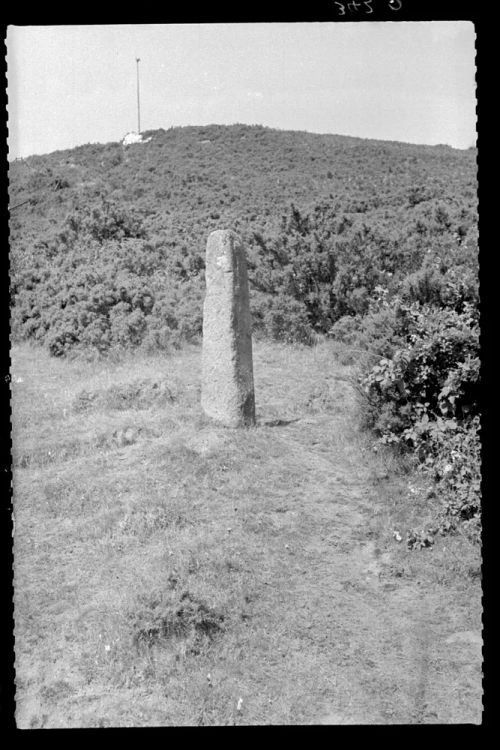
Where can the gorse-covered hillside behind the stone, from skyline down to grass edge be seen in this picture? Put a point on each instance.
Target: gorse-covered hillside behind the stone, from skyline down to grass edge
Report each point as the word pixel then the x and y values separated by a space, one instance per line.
pixel 98 205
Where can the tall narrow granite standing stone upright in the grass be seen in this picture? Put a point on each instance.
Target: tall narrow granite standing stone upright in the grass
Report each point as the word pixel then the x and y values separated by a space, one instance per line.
pixel 227 393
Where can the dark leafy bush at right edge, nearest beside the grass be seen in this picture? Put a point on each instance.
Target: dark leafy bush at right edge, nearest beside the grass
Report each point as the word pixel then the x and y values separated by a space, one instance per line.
pixel 422 397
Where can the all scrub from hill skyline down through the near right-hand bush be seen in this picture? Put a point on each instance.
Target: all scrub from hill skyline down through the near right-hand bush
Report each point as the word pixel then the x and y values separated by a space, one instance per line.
pixel 372 243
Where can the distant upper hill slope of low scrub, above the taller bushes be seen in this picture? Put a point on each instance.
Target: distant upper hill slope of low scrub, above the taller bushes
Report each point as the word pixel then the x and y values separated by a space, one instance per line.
pixel 238 171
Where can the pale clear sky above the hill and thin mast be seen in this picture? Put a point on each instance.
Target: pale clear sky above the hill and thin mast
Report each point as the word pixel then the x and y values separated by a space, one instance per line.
pixel 406 81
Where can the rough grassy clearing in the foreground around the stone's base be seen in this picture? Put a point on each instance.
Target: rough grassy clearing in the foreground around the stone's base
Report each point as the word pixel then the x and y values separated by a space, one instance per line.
pixel 171 572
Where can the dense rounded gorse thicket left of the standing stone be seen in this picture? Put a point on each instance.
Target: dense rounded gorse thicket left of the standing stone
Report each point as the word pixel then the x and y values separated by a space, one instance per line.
pixel 98 284
